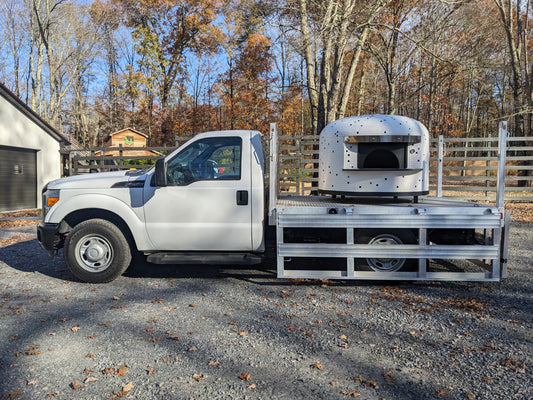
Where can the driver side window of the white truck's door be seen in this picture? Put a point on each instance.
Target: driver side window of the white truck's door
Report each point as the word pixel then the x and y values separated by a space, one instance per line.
pixel 206 159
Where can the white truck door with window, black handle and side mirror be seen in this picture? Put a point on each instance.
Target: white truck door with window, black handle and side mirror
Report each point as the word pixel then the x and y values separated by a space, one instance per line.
pixel 206 205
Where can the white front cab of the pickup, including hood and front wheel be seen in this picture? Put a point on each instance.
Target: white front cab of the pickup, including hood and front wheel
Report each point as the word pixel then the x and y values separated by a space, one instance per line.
pixel 204 200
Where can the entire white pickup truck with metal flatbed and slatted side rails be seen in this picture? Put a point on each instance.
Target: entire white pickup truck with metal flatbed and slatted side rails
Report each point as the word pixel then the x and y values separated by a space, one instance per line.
pixel 205 204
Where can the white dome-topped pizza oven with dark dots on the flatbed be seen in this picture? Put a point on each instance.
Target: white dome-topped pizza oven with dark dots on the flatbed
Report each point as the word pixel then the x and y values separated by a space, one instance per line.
pixel 374 155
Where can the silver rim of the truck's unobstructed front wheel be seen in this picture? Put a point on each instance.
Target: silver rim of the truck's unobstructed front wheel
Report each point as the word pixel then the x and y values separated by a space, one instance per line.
pixel 94 253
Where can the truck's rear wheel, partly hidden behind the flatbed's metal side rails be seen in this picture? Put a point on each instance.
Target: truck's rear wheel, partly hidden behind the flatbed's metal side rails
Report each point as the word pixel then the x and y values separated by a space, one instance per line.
pixel 382 237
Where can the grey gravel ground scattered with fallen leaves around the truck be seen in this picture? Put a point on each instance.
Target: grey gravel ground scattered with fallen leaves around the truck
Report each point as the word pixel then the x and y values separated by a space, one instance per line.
pixel 164 332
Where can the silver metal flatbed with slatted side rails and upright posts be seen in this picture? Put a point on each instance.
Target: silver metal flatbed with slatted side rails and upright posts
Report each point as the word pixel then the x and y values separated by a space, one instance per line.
pixel 344 217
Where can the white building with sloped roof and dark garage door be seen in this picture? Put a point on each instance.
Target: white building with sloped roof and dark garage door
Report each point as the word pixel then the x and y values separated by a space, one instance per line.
pixel 29 153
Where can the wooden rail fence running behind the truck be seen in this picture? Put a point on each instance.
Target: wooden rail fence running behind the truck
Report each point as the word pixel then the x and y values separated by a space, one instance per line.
pixel 468 168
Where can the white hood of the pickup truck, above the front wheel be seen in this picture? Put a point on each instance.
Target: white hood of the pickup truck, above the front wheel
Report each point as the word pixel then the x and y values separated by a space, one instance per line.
pixel 101 180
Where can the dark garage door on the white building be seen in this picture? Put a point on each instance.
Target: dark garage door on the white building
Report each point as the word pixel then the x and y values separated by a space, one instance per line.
pixel 18 178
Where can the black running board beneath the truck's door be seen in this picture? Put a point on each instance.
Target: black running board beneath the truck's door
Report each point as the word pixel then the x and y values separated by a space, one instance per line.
pixel 204 258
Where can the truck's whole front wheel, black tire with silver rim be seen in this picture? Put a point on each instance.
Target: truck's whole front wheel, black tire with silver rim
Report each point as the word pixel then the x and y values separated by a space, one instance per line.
pixel 96 251
